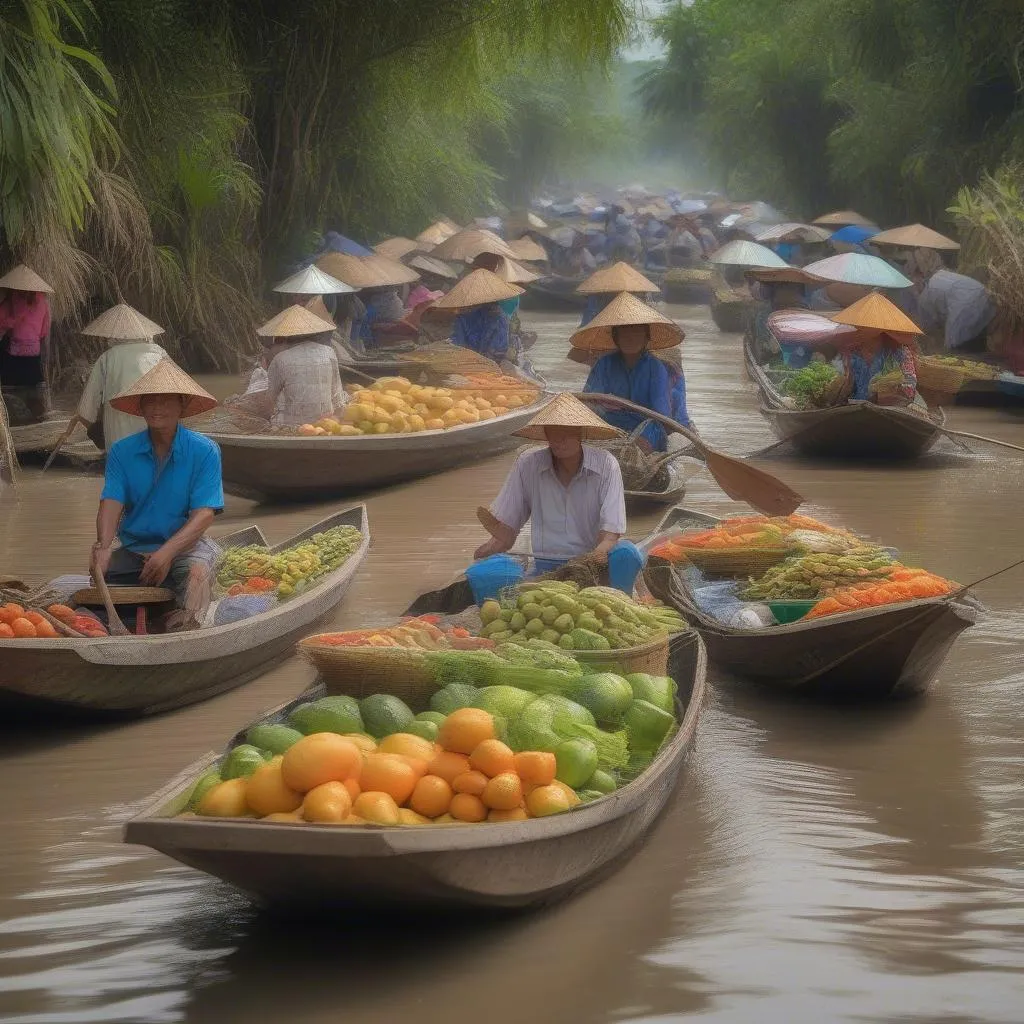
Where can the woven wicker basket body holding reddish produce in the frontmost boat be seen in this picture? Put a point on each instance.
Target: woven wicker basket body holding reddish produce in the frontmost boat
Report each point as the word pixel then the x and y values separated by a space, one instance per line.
pixel 359 672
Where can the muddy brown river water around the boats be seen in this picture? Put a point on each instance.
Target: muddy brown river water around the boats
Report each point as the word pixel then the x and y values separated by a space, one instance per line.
pixel 817 864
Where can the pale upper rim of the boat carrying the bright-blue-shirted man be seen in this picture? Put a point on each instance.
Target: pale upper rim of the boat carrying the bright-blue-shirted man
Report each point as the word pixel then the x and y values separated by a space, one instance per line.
pixel 92 649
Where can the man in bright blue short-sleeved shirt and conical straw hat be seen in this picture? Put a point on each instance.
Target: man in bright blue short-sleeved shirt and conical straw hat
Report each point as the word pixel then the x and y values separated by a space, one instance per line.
pixel 162 490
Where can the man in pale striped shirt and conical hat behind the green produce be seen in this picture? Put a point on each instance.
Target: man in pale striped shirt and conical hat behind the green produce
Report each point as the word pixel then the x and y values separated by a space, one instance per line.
pixel 571 493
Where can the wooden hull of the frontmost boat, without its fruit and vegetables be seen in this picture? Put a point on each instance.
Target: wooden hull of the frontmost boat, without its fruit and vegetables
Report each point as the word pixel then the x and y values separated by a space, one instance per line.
pixel 496 866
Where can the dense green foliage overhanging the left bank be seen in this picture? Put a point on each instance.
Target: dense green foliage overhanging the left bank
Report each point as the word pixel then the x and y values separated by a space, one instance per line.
pixel 180 153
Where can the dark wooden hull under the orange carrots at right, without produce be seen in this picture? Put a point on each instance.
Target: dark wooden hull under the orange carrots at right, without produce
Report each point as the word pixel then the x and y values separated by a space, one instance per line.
pixel 887 652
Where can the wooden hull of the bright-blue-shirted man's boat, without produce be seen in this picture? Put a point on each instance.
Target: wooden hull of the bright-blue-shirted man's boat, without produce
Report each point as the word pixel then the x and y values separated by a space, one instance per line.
pixel 118 677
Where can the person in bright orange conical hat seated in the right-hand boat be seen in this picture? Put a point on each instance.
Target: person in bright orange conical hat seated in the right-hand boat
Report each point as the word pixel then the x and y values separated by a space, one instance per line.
pixel 882 346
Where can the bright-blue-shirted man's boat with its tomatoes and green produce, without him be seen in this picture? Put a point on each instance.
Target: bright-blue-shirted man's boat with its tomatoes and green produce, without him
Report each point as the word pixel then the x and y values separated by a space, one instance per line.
pixel 78 670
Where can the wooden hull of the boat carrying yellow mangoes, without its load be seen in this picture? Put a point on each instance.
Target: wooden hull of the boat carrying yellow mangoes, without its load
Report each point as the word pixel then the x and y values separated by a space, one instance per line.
pixel 287 467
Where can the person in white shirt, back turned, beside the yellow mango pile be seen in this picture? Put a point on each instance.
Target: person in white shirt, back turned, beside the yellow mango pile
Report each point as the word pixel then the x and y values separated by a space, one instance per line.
pixel 304 378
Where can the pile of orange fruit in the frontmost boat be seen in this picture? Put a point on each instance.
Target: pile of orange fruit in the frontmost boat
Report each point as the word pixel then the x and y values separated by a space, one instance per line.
pixel 467 777
